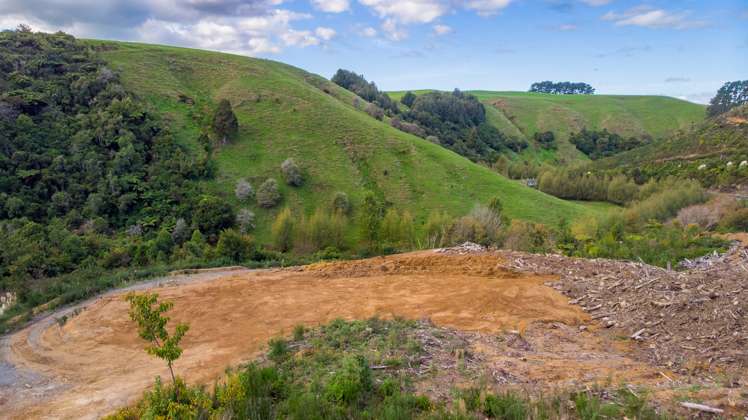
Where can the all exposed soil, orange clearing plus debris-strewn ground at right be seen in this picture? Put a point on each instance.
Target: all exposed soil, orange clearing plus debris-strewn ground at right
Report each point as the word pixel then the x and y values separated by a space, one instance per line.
pixel 522 331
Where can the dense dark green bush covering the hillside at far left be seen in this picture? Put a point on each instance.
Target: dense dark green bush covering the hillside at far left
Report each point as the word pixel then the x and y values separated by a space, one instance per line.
pixel 72 140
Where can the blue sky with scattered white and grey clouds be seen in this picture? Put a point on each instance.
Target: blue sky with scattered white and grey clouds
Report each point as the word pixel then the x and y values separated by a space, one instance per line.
pixel 685 49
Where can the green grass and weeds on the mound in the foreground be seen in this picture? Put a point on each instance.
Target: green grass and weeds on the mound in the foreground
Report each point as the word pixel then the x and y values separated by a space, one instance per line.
pixel 364 370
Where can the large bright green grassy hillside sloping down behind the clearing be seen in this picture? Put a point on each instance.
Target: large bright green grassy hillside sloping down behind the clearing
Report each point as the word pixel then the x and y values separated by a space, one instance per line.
pixel 286 112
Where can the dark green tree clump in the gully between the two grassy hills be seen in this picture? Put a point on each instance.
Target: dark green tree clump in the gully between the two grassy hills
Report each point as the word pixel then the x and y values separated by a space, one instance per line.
pixel 459 121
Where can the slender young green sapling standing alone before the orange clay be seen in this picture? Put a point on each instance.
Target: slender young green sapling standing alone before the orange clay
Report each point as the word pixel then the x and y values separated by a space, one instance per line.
pixel 147 312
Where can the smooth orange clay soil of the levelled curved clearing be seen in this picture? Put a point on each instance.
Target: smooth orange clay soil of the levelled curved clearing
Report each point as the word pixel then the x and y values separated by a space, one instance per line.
pixel 96 363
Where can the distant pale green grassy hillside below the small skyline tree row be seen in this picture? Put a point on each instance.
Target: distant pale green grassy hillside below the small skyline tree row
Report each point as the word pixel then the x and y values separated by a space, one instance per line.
pixel 524 114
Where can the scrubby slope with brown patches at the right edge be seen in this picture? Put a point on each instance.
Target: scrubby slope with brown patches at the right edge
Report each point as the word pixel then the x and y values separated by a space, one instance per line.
pixel 711 152
